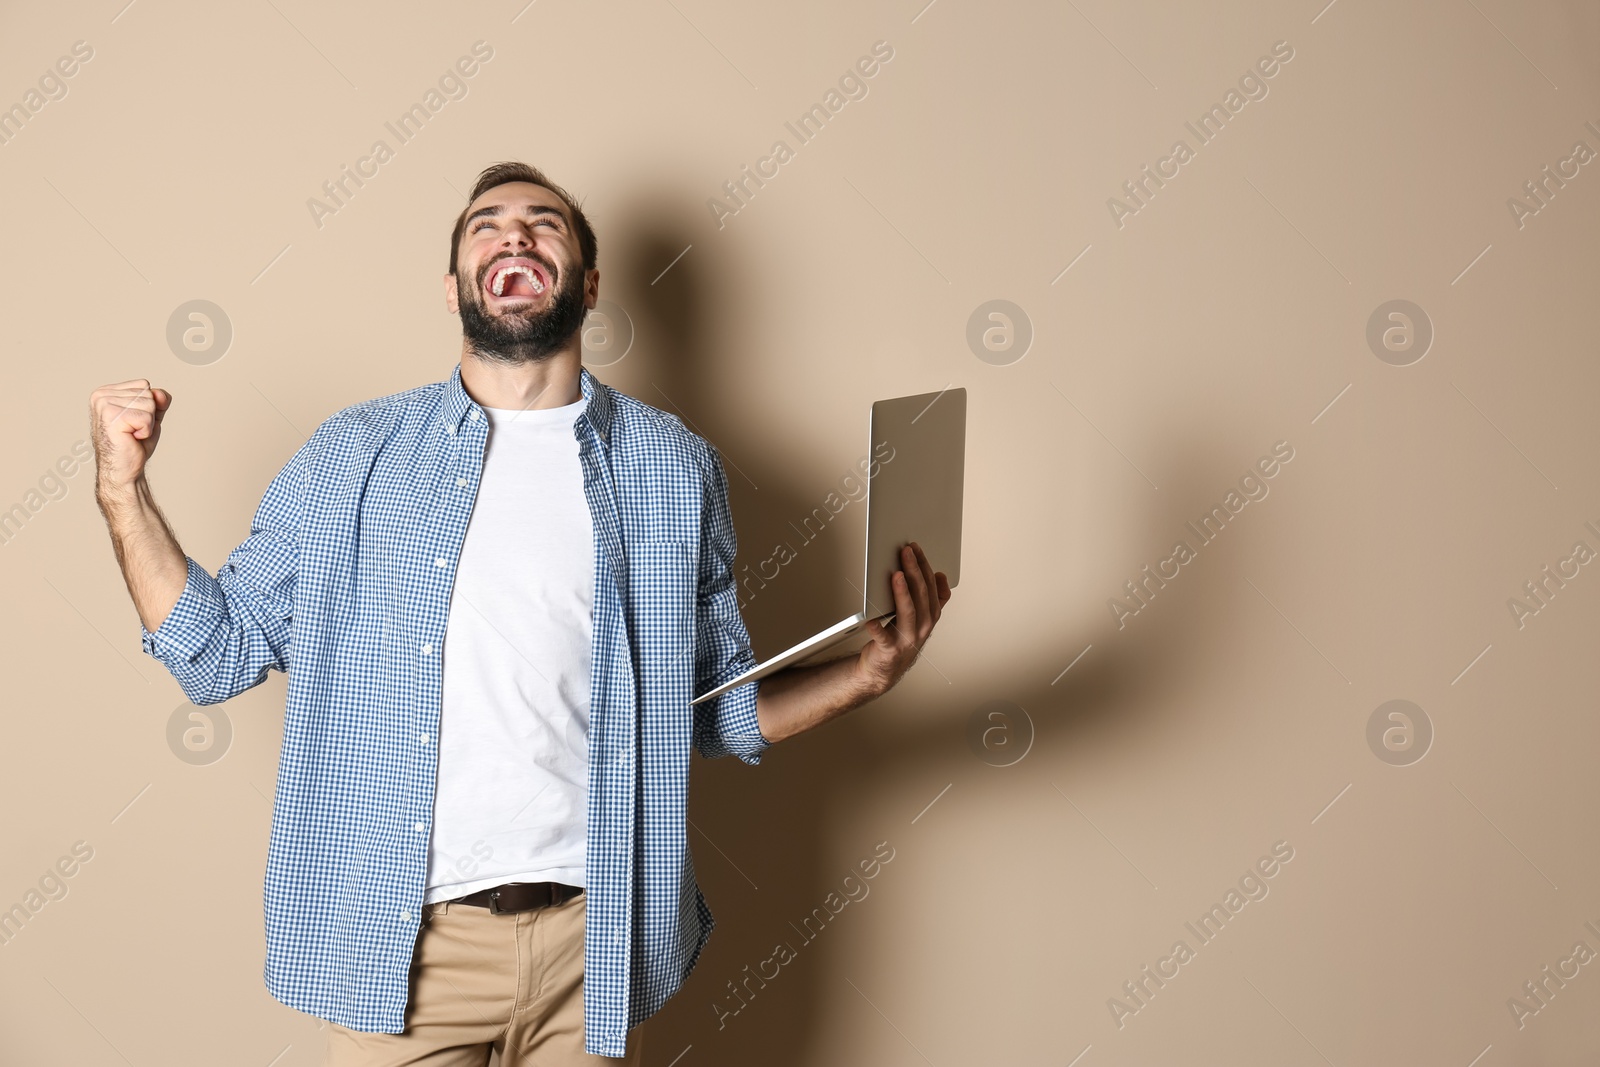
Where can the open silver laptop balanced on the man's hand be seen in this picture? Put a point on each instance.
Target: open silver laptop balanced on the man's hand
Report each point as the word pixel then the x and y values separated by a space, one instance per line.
pixel 916 495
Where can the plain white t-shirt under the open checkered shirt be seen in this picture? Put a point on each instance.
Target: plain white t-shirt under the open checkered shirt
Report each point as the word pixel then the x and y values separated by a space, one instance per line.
pixel 514 721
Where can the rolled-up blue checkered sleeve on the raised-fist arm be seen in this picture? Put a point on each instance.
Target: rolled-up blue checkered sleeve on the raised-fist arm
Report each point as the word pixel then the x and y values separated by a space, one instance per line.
pixel 228 631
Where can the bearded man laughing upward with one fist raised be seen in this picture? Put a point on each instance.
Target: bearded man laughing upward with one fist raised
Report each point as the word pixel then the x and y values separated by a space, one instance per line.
pixel 498 596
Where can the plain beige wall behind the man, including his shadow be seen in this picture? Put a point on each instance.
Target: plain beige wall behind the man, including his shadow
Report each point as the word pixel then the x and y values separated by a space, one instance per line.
pixel 1159 759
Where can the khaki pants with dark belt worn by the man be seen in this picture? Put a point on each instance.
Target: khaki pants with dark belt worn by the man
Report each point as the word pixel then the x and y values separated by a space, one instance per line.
pixel 479 981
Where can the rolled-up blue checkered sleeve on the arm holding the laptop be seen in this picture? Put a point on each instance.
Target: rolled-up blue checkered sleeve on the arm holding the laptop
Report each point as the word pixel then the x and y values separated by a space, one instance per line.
pixel 722 647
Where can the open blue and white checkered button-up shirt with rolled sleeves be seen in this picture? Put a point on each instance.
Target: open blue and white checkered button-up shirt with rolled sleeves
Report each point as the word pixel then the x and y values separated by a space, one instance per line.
pixel 345 583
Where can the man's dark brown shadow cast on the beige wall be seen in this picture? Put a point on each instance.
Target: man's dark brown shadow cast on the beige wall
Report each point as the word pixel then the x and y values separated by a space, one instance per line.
pixel 775 849
